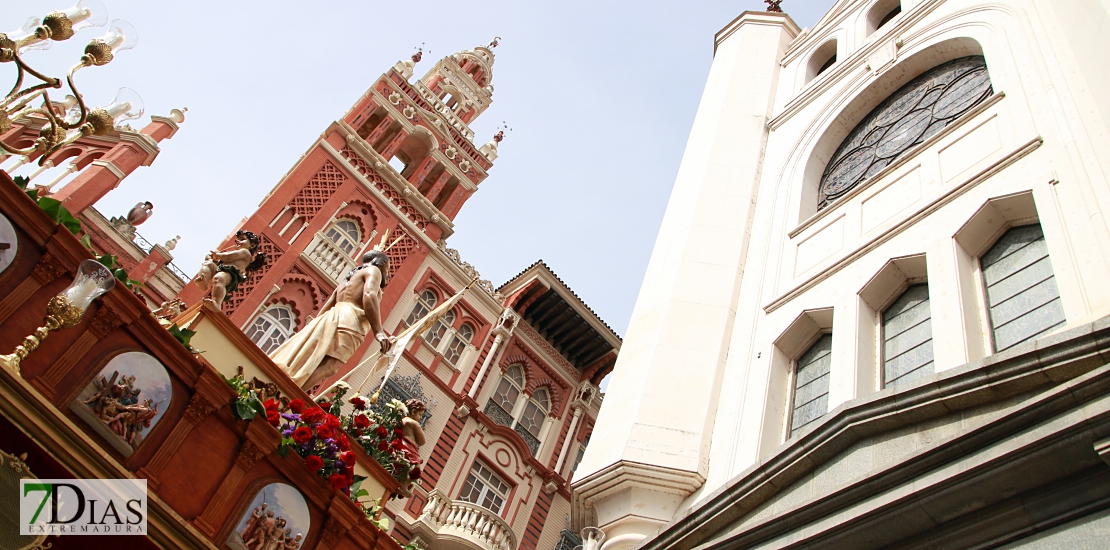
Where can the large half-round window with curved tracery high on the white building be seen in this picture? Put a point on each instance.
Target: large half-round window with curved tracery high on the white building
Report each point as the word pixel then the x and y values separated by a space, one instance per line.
pixel 914 114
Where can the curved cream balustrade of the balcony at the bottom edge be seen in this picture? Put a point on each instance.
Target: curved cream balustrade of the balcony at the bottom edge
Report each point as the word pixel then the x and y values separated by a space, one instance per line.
pixel 471 523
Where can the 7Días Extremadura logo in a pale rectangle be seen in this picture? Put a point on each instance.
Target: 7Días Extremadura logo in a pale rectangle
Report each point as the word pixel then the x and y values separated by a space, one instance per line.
pixel 83 507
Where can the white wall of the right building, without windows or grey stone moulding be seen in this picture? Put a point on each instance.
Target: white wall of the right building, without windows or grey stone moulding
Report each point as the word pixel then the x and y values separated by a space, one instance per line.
pixel 762 253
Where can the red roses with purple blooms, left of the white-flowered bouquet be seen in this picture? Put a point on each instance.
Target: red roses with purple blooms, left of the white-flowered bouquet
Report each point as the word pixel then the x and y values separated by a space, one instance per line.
pixel 316 433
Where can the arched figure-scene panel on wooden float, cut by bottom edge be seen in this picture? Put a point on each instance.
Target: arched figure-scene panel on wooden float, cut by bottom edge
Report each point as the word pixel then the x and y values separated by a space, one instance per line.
pixel 278 513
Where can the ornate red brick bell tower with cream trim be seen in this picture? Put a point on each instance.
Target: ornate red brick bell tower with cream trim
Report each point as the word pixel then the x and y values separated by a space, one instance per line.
pixel 402 159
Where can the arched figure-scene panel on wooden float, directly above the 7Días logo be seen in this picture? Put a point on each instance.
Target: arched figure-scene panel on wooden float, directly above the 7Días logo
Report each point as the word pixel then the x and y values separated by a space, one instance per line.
pixel 126 399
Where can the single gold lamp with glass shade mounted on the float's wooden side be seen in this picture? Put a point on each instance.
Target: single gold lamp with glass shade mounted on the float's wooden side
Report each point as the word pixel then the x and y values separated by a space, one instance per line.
pixel 66 309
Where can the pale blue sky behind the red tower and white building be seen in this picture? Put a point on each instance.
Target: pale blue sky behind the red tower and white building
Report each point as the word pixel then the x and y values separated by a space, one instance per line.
pixel 600 97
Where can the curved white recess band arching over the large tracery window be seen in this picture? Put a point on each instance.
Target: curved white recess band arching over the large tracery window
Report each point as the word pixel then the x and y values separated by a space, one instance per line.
pixel 862 105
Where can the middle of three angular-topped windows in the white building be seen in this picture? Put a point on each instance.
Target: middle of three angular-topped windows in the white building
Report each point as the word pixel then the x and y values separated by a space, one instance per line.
pixel 907 337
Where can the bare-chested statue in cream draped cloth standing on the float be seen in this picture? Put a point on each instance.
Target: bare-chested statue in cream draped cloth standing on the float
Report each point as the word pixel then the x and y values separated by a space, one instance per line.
pixel 328 342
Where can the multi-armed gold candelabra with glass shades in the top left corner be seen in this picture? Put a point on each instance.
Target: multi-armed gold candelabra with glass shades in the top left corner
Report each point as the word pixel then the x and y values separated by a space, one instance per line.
pixel 62 129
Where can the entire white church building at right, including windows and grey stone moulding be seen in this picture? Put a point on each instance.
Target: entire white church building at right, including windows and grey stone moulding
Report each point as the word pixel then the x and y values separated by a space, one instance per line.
pixel 879 287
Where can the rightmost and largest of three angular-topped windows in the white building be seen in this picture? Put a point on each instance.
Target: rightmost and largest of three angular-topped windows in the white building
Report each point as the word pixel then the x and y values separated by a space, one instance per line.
pixel 1022 292
